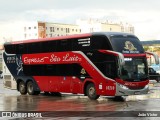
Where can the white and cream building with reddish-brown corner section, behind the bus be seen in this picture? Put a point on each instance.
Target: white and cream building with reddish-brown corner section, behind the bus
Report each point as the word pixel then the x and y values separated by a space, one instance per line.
pixel 38 29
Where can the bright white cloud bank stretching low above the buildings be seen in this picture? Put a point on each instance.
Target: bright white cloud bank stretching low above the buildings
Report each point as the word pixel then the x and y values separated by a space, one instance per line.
pixel 145 23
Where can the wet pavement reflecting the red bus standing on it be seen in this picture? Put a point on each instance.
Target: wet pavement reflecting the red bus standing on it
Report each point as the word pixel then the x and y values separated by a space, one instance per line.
pixel 11 100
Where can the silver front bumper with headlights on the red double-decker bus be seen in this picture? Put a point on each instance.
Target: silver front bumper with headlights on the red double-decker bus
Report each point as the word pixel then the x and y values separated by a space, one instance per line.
pixel 122 90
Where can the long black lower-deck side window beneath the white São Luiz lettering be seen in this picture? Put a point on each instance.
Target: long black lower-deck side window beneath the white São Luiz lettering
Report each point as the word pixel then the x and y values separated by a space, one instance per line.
pixel 53 70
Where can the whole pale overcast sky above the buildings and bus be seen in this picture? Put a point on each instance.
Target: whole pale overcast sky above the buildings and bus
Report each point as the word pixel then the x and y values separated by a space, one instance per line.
pixel 144 15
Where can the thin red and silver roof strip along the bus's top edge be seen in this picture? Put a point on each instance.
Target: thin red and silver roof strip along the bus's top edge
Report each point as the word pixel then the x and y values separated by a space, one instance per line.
pixel 68 37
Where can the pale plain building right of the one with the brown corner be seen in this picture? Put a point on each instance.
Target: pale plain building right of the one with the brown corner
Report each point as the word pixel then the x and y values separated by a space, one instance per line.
pixel 101 26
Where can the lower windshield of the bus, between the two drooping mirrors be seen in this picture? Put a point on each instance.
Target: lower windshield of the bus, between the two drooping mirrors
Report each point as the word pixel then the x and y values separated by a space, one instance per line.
pixel 135 69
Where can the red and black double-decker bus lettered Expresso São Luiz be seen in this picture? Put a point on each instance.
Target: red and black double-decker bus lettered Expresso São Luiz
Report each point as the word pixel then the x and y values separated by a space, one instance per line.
pixel 93 64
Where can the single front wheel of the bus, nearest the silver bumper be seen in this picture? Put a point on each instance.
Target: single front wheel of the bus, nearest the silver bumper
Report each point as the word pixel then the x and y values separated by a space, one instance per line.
pixel 91 92
